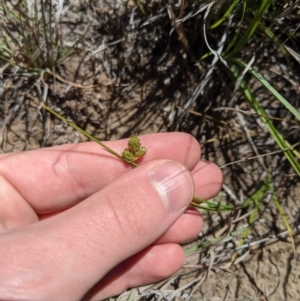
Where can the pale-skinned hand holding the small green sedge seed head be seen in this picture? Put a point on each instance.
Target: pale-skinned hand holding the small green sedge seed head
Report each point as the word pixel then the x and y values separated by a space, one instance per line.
pixel 77 223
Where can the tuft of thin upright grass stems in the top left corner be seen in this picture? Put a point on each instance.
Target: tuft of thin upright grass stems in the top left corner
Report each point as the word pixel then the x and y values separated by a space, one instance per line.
pixel 30 37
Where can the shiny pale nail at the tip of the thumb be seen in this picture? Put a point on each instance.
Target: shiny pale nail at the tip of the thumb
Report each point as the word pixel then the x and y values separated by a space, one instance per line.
pixel 175 185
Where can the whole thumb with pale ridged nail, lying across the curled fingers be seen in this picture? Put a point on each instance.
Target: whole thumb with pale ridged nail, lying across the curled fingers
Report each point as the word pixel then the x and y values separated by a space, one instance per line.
pixel 91 238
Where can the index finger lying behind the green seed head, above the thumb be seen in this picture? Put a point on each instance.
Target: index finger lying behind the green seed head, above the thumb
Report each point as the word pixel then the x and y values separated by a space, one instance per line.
pixel 59 177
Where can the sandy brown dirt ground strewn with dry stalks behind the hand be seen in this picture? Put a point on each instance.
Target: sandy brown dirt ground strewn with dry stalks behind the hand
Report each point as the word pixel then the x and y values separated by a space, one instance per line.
pixel 142 75
